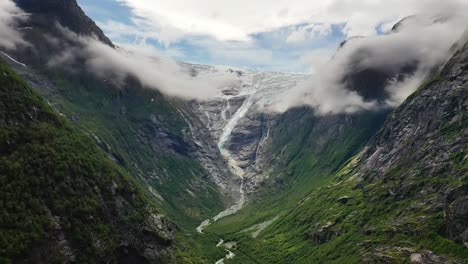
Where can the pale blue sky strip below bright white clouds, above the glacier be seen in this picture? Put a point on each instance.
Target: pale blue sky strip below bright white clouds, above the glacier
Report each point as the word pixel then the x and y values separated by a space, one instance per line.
pixel 268 50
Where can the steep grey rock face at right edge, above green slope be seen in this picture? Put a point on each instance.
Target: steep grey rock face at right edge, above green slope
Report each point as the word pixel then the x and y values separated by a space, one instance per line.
pixel 427 136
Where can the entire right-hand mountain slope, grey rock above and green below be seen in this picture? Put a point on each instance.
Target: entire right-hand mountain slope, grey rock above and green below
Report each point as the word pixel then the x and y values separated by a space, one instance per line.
pixel 402 199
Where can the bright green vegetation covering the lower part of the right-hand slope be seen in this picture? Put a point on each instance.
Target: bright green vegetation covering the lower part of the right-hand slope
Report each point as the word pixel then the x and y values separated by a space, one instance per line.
pixel 371 223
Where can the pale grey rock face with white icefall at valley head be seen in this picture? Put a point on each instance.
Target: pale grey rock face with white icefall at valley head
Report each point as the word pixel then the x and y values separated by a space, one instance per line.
pixel 238 120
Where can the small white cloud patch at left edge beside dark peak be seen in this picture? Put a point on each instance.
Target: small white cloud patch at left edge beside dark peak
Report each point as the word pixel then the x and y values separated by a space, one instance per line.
pixel 10 16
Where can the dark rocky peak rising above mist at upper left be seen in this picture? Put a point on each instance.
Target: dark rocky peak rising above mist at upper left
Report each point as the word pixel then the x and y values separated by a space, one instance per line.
pixel 52 27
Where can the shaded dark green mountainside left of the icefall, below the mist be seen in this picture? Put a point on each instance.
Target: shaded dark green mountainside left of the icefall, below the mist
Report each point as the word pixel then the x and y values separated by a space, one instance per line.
pixel 142 131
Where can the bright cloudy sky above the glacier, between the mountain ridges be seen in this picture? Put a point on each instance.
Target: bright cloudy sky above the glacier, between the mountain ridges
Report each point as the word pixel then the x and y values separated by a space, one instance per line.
pixel 269 35
